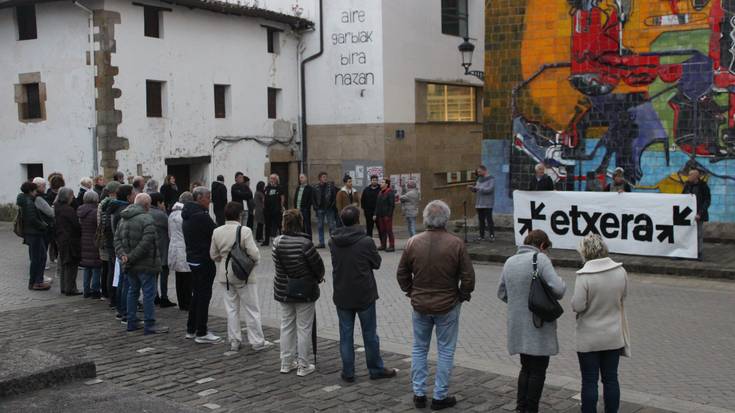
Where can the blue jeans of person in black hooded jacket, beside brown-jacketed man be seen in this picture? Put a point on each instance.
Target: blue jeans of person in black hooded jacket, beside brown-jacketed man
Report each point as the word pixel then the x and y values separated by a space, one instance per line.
pixel 368 323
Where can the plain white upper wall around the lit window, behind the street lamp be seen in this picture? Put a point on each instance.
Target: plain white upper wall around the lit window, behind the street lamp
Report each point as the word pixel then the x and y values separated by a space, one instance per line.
pixel 415 48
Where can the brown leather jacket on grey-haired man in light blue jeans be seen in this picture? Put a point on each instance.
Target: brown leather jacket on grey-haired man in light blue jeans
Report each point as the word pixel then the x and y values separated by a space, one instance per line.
pixel 436 272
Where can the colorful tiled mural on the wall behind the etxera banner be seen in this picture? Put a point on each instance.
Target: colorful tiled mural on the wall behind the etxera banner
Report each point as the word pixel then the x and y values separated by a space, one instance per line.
pixel 587 86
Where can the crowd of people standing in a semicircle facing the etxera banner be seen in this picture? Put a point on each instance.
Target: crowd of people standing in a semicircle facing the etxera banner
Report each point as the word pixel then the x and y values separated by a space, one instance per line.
pixel 128 237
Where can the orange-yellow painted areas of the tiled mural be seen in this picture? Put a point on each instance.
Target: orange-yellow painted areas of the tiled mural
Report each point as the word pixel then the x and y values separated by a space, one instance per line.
pixel 547 39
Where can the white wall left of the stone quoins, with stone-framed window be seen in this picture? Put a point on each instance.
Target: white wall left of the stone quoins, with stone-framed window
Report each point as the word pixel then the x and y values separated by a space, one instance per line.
pixel 63 142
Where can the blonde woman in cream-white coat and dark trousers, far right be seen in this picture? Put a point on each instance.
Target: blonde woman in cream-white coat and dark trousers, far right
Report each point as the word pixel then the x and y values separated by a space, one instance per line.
pixel 602 328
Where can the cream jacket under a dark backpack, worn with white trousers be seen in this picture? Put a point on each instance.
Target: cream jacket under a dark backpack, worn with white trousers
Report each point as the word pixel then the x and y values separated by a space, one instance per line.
pixel 223 239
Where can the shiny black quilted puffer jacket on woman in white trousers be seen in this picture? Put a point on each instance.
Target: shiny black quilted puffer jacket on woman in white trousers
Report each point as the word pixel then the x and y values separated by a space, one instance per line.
pixel 295 257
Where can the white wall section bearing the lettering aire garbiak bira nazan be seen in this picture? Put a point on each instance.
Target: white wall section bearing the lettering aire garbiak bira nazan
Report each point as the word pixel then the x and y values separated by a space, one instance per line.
pixel 345 84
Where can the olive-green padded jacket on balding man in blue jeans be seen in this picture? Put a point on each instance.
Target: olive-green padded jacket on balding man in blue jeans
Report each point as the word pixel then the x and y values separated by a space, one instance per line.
pixel 137 239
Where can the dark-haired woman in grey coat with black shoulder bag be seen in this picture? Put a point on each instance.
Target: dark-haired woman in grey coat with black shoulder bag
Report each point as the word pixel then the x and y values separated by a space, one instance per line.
pixel 535 345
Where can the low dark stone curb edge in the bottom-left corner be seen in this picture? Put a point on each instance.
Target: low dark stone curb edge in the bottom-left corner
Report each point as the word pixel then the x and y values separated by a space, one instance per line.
pixel 48 378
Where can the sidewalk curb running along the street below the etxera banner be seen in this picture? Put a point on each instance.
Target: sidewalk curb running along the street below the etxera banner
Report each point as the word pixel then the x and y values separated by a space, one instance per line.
pixel 676 270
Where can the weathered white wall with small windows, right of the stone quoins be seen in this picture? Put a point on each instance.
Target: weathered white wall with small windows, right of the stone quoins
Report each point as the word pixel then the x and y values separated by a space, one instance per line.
pixel 227 50
